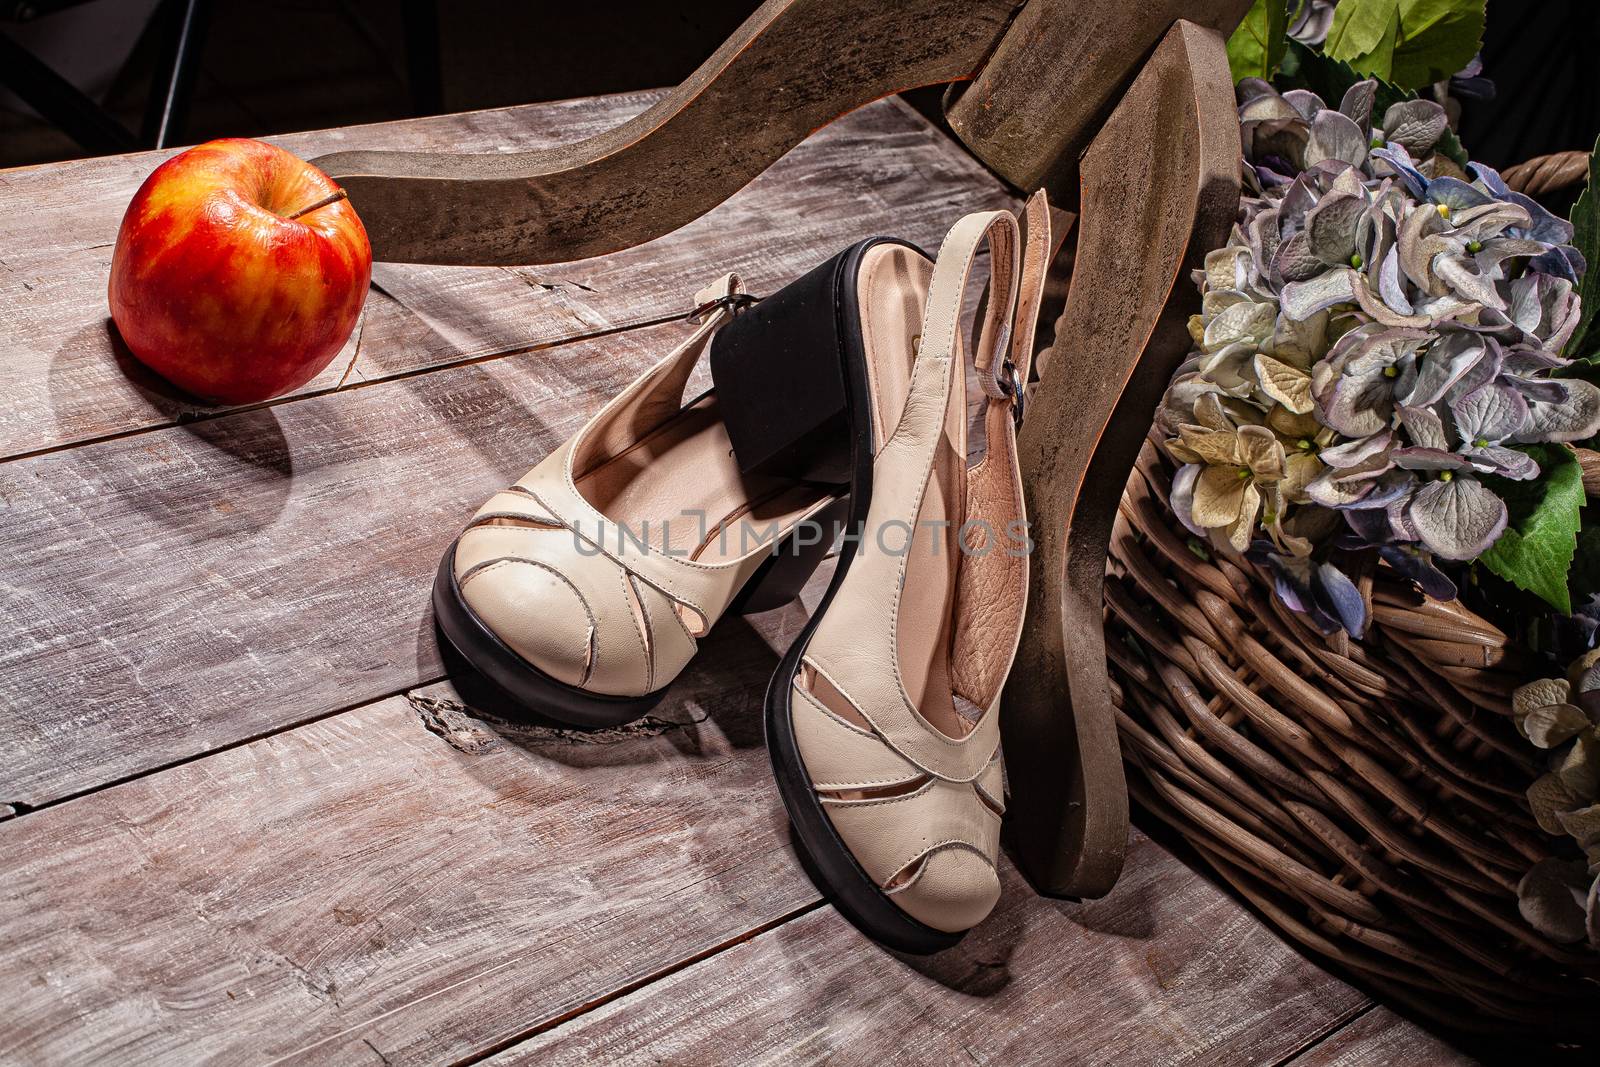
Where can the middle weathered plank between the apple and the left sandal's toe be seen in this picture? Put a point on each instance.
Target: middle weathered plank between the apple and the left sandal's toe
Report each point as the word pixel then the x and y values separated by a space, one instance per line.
pixel 186 589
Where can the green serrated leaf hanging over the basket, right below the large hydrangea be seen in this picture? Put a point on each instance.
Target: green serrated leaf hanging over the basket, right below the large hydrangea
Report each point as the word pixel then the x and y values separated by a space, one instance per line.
pixel 1542 535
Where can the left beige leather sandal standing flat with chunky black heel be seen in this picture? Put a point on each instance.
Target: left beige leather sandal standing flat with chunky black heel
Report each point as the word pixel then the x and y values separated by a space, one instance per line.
pixel 583 589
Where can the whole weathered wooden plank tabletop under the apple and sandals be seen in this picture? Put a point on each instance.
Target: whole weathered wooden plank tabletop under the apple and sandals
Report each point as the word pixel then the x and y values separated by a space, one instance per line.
pixel 246 818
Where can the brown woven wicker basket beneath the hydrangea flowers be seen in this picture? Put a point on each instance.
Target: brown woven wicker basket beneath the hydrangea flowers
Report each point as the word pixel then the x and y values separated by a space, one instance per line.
pixel 1367 797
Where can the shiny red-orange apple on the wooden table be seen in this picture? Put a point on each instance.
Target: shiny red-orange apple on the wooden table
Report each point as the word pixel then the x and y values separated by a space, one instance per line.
pixel 239 271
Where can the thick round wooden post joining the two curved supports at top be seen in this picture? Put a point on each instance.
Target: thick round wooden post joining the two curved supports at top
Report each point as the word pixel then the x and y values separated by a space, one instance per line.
pixel 1057 73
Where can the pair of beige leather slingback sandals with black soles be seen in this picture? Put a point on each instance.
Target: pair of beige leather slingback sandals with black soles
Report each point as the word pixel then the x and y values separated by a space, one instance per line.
pixel 839 417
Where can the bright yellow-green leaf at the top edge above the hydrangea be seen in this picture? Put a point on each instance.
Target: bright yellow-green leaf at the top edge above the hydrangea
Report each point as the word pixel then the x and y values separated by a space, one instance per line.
pixel 1409 42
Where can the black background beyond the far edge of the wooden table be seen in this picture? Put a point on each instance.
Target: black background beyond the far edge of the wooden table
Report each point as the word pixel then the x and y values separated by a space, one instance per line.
pixel 276 66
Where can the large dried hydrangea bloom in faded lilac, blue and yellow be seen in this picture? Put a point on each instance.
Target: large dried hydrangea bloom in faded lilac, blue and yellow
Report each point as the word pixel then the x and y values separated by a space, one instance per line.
pixel 1391 326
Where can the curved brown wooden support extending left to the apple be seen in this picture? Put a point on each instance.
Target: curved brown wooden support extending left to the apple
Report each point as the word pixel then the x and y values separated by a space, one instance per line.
pixel 793 68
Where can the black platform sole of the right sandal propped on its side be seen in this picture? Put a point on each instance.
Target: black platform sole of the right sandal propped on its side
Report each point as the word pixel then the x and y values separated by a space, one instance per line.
pixel 833 866
